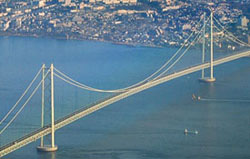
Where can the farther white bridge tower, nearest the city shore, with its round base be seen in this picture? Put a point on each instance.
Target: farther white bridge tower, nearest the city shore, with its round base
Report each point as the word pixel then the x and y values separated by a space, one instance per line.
pixel 211 78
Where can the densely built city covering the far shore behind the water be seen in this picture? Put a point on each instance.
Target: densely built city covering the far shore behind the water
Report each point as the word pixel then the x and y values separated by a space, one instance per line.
pixel 152 23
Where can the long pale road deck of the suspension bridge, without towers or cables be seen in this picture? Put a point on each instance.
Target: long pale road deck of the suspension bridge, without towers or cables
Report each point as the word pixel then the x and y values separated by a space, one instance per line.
pixel 101 104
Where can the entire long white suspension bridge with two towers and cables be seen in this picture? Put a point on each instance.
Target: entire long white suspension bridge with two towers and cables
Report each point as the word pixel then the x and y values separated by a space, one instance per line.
pixel 158 77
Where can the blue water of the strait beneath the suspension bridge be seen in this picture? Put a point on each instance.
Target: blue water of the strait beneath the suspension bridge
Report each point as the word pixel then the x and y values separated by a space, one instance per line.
pixel 147 125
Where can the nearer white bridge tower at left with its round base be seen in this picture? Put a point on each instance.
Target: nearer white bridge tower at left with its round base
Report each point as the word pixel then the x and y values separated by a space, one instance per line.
pixel 52 147
